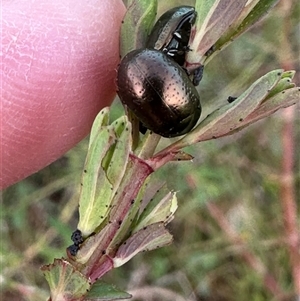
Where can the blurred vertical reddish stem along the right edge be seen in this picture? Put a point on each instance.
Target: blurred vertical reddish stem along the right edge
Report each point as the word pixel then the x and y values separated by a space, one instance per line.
pixel 287 179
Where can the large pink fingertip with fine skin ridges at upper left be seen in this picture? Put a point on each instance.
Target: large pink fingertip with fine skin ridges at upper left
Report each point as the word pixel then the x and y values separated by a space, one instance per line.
pixel 57 71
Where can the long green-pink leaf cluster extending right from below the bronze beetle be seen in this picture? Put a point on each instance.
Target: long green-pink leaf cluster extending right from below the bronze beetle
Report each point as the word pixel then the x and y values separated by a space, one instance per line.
pixel 271 92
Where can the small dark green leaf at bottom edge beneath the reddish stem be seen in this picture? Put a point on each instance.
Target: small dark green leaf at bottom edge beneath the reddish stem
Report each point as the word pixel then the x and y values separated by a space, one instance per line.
pixel 103 291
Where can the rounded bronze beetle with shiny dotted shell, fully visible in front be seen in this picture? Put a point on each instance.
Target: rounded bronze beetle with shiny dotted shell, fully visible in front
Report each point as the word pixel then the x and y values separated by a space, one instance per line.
pixel 159 92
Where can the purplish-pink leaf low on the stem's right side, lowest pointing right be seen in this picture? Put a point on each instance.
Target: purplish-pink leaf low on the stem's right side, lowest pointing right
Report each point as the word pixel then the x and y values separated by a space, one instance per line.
pixel 146 239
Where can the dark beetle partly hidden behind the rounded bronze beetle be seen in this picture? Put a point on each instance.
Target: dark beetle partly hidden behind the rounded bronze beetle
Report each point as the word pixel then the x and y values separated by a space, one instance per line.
pixel 171 32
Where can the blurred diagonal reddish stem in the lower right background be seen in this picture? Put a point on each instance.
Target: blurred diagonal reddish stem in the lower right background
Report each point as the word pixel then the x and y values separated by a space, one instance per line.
pixel 253 261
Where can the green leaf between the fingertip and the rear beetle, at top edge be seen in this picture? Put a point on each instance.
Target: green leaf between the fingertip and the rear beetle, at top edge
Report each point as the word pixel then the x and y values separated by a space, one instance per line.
pixel 137 24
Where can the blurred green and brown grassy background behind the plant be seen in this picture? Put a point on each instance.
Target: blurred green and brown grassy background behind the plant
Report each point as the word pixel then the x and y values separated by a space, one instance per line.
pixel 231 190
